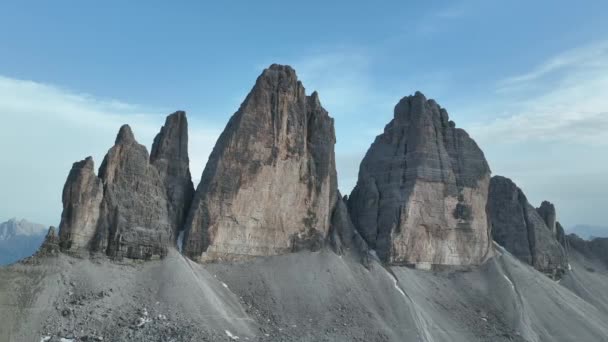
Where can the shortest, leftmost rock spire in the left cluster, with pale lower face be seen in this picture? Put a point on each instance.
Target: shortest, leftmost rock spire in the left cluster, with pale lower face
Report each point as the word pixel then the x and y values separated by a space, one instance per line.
pixel 82 195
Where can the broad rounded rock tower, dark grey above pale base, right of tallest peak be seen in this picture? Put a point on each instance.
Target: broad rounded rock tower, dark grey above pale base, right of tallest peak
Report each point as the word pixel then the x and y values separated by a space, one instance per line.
pixel 422 190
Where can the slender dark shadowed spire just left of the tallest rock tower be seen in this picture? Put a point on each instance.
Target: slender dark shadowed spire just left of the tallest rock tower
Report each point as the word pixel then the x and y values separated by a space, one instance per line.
pixel 170 157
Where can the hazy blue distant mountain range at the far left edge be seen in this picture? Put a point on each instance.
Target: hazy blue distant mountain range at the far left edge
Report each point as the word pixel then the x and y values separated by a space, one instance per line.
pixel 19 239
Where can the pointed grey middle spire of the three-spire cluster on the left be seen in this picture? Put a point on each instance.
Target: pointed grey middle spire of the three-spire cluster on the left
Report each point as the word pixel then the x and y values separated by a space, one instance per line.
pixel 134 218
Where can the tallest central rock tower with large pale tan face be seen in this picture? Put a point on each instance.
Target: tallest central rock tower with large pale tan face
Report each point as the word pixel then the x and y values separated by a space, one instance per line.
pixel 270 183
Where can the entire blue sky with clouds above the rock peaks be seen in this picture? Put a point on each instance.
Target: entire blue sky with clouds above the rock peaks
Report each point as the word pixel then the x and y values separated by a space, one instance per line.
pixel 527 79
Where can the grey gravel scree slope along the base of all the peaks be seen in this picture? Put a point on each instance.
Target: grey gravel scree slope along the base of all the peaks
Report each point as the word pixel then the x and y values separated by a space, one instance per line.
pixel 298 297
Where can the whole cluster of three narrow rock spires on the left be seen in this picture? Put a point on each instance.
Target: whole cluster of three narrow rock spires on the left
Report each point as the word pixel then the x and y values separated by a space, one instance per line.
pixel 136 205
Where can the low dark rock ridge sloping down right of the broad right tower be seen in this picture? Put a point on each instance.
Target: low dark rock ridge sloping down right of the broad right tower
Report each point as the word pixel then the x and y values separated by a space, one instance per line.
pixel 523 231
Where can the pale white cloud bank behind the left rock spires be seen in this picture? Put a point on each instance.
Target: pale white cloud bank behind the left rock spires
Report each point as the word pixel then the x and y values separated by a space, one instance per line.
pixel 49 128
